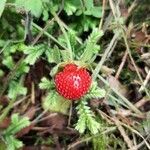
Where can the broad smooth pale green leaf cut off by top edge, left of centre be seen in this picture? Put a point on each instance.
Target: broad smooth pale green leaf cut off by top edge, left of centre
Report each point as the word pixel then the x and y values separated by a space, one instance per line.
pixel 35 6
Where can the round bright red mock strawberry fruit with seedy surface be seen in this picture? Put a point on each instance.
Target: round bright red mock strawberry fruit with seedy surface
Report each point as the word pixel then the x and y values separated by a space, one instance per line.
pixel 73 82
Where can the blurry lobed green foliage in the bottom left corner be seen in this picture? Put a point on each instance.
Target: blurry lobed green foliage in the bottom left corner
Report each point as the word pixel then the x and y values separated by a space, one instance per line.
pixel 17 123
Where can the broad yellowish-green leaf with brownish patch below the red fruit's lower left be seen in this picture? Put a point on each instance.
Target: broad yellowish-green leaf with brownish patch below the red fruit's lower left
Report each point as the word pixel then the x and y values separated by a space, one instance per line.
pixel 55 102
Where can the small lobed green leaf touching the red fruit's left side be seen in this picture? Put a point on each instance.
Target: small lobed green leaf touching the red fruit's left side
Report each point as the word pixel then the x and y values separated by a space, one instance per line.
pixel 46 84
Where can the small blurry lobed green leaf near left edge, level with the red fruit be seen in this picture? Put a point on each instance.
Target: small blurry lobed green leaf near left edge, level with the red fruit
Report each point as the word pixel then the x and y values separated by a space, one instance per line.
pixel 16 89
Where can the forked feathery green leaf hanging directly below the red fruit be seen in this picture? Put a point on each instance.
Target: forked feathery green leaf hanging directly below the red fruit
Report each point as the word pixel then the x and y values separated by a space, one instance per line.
pixel 86 119
